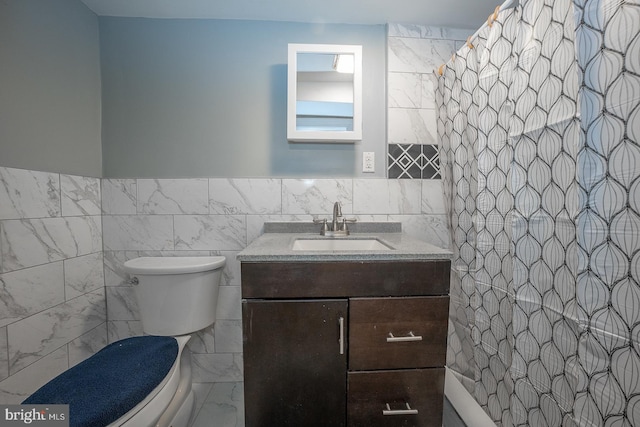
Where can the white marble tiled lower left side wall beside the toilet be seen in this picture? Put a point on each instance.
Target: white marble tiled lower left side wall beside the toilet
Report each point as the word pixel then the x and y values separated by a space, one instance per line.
pixel 52 301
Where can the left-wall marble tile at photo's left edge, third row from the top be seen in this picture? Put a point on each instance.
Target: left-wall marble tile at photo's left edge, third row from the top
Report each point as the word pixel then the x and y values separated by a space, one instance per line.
pixel 29 291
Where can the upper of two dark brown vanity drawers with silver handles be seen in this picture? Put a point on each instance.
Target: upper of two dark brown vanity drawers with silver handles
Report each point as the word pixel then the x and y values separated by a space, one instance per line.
pixel 392 333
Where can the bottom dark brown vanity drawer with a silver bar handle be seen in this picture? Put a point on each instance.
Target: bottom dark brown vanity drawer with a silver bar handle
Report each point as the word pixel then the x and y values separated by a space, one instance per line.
pixel 369 393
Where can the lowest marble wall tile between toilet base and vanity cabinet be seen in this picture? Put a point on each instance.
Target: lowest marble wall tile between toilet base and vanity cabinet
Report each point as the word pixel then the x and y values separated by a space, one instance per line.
pixel 224 367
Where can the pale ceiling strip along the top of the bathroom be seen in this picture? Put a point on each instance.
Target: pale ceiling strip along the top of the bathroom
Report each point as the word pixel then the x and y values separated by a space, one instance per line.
pixel 450 13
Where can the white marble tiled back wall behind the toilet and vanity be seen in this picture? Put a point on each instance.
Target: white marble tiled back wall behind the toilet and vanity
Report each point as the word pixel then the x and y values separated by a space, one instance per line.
pixel 221 216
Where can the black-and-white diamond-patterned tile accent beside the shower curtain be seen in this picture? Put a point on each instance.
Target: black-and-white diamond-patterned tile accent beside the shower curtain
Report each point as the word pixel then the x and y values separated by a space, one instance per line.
pixel 413 161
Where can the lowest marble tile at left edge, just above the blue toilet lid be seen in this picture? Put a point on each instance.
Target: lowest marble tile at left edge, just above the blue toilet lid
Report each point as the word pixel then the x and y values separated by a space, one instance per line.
pixel 18 387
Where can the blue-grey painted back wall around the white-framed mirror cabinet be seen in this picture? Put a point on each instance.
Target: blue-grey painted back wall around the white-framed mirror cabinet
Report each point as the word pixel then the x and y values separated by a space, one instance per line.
pixel 191 98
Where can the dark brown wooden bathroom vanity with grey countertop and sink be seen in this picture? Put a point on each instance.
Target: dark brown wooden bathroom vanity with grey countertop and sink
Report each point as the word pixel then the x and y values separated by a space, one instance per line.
pixel 347 337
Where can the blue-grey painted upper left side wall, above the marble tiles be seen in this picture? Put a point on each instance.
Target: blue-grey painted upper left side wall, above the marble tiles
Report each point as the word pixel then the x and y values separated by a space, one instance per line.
pixel 50 87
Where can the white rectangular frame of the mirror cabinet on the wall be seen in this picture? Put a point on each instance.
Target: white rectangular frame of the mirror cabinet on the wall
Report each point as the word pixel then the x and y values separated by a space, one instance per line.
pixel 292 83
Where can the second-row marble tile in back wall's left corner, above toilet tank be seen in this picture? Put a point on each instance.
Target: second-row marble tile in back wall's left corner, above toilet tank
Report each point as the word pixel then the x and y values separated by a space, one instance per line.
pixel 138 232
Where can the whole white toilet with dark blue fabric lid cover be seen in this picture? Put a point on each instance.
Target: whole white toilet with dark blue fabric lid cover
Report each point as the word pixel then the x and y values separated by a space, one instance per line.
pixel 145 381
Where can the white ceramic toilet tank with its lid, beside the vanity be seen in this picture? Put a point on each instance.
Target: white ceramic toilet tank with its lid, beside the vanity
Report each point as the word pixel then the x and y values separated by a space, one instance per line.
pixel 176 295
